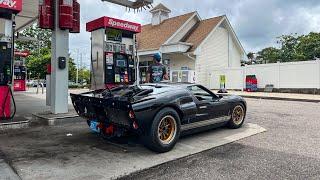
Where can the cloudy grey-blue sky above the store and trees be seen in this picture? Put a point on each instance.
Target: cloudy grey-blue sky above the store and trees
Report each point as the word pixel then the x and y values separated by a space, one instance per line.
pixel 257 23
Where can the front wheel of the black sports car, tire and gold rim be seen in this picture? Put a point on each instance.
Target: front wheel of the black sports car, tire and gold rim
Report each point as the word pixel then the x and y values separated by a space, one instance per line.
pixel 237 119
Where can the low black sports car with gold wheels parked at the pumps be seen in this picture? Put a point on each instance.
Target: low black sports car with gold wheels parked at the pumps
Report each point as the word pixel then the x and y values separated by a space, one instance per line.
pixel 158 113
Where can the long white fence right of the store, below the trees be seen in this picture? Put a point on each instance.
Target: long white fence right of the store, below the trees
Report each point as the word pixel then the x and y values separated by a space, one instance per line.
pixel 305 74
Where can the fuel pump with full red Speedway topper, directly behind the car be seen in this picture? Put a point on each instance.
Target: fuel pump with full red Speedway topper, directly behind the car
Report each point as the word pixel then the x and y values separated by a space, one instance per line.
pixel 112 52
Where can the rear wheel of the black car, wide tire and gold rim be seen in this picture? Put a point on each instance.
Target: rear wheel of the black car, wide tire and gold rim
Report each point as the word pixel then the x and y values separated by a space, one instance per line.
pixel 164 131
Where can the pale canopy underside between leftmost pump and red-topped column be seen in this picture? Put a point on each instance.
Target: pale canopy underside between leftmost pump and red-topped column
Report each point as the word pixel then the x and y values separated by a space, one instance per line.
pixel 28 15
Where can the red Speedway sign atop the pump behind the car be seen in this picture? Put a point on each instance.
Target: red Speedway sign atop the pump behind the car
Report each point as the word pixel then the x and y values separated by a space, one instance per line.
pixel 105 22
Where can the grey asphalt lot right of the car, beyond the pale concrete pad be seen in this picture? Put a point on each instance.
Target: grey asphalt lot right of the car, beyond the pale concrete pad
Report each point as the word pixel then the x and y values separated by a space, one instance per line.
pixel 288 150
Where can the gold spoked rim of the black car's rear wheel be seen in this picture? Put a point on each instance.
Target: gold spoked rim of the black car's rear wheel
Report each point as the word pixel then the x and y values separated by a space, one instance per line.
pixel 167 129
